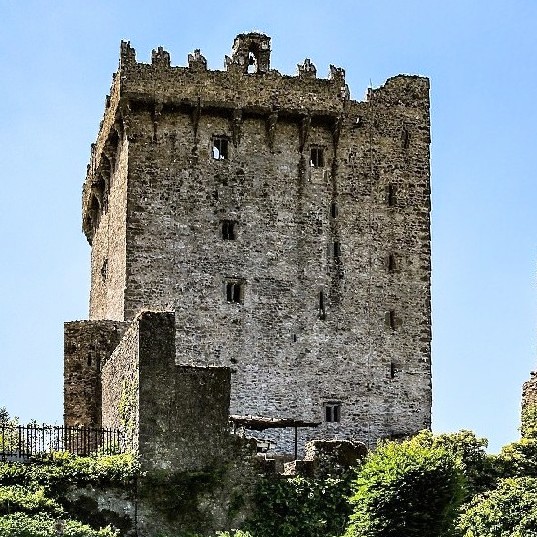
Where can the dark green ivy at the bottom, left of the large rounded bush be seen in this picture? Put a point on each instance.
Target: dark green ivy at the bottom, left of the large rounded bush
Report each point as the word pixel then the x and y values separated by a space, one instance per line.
pixel 301 506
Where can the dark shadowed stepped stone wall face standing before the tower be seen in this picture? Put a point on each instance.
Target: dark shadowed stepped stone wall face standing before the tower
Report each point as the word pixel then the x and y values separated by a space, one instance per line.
pixel 184 411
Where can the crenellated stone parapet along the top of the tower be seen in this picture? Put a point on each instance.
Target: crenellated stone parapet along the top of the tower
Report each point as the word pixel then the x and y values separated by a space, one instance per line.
pixel 159 86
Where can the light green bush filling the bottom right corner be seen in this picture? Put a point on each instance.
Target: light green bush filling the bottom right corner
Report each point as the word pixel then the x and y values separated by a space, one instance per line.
pixel 508 511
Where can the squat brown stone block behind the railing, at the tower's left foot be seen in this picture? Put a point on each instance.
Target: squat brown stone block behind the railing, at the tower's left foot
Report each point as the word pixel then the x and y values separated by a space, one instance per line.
pixel 86 345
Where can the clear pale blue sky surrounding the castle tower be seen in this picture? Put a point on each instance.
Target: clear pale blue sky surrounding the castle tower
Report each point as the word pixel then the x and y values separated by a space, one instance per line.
pixel 57 60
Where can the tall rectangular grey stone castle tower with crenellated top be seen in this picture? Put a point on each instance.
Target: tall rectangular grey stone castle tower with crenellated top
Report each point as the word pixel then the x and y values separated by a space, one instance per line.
pixel 285 225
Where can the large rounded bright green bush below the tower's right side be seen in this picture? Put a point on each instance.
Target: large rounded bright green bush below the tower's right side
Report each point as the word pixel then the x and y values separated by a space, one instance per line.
pixel 406 489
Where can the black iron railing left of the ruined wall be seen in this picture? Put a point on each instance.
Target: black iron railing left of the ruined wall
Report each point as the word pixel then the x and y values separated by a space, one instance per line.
pixel 20 442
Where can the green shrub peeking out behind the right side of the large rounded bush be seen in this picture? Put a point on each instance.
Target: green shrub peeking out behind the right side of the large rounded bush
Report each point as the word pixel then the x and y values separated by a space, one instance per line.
pixel 478 467
